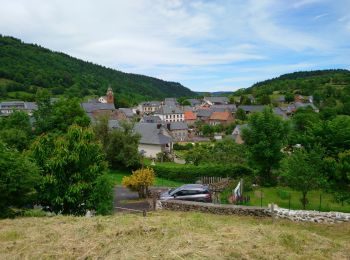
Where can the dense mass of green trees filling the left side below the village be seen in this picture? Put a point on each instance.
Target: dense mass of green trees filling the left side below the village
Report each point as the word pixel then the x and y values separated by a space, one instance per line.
pixel 60 161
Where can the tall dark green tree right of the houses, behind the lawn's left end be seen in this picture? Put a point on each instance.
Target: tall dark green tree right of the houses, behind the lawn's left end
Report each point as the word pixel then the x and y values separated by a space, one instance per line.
pixel 264 137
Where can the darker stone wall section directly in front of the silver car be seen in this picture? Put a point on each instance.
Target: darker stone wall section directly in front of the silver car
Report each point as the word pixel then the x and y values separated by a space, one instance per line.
pixel 221 209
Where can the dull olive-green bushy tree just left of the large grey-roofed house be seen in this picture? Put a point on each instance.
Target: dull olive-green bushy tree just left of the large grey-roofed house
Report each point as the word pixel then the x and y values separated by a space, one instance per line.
pixel 119 145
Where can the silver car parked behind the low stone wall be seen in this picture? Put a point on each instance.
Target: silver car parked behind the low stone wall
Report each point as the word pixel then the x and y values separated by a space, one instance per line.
pixel 191 192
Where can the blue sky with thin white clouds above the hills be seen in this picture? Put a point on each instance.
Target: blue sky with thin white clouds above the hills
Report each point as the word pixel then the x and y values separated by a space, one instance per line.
pixel 207 45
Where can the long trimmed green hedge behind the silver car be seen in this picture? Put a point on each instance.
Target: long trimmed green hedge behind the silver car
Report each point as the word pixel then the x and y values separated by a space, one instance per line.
pixel 191 173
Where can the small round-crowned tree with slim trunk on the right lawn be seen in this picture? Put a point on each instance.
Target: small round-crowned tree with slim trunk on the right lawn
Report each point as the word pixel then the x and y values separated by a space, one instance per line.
pixel 304 171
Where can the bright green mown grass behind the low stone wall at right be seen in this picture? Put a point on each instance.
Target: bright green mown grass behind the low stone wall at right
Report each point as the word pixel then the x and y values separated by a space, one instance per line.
pixel 279 196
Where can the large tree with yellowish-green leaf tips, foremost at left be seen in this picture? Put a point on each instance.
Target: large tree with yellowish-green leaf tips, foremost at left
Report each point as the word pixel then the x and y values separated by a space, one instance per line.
pixel 71 165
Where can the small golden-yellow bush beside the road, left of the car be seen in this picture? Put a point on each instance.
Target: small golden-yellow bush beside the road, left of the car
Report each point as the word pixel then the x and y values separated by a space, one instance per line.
pixel 139 181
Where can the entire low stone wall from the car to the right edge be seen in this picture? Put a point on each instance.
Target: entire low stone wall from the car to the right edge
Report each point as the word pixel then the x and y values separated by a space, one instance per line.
pixel 225 209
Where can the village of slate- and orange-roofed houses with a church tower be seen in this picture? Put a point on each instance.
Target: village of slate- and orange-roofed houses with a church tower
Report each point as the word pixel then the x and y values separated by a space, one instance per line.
pixel 163 123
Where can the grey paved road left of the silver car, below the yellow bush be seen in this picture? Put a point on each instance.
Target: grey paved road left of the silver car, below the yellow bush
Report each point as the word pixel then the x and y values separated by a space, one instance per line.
pixel 125 198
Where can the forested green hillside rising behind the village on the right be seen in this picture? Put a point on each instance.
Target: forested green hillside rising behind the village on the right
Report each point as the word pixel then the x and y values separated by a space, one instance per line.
pixel 330 88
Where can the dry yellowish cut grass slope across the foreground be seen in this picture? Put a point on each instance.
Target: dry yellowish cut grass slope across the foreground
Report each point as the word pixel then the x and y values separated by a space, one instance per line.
pixel 170 235
